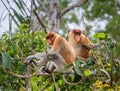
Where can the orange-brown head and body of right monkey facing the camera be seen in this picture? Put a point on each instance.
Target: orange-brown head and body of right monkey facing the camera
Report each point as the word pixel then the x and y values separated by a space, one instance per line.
pixel 81 44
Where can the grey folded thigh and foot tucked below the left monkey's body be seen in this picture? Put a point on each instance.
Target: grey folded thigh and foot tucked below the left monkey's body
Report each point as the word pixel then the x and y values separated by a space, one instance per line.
pixel 55 63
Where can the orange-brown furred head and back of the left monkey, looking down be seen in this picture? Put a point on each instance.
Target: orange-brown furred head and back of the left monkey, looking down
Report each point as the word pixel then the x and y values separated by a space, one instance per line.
pixel 60 45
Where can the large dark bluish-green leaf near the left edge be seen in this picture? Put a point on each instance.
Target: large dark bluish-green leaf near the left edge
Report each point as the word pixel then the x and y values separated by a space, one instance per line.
pixel 6 60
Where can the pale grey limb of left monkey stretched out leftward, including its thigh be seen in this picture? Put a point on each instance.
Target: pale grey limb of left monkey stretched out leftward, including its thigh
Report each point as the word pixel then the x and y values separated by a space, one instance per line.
pixel 43 59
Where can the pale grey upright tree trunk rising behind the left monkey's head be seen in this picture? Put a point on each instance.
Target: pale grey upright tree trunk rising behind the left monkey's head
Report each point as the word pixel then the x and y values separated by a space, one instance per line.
pixel 53 22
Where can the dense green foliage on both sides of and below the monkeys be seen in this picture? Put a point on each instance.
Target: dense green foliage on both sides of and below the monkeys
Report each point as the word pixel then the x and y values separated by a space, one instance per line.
pixel 102 71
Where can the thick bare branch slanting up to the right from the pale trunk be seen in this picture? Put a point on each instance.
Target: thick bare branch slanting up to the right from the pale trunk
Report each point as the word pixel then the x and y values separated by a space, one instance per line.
pixel 77 4
